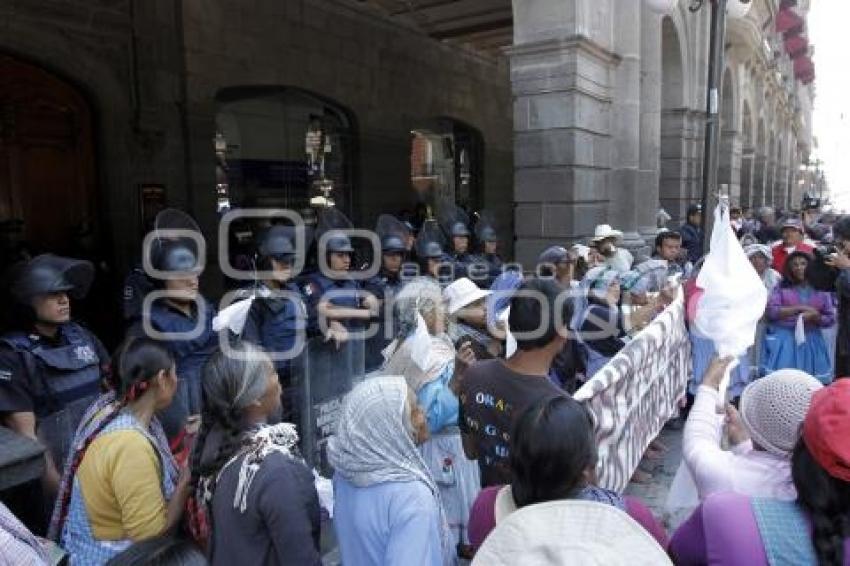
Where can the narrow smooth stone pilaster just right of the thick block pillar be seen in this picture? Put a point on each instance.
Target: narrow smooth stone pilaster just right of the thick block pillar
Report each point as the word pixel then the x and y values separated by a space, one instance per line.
pixel 625 124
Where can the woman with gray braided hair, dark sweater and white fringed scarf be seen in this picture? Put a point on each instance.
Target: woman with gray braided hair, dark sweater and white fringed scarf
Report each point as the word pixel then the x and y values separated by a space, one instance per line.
pixel 254 499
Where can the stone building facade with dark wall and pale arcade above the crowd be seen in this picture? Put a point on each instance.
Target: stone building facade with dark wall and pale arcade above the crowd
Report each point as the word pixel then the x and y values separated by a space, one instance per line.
pixel 607 100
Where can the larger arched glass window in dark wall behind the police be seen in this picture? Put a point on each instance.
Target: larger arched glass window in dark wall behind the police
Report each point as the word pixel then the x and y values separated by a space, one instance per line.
pixel 263 158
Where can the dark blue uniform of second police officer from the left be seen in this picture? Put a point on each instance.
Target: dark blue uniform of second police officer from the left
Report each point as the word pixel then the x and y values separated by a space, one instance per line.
pixel 190 355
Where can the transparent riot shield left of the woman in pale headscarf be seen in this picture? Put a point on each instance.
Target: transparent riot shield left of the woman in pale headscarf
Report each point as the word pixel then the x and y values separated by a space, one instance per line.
pixel 325 373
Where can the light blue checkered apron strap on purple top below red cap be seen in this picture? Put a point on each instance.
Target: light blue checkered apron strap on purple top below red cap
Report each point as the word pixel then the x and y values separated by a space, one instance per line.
pixel 784 531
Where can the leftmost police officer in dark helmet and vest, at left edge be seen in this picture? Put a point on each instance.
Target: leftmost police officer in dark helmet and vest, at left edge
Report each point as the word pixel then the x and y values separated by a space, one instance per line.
pixel 51 368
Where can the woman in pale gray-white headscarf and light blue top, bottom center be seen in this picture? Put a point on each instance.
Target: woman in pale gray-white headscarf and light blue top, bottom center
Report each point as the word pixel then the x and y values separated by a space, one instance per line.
pixel 387 507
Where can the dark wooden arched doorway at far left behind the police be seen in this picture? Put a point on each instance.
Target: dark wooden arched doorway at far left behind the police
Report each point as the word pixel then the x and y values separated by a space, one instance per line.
pixel 48 196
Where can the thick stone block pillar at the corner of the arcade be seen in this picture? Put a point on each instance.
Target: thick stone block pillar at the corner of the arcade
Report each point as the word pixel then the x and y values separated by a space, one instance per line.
pixel 562 68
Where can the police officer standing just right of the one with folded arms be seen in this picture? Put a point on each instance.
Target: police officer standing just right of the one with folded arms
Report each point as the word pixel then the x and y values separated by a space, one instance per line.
pixel 384 286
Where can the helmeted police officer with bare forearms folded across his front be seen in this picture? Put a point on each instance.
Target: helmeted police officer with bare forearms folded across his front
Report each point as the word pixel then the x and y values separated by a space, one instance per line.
pixel 334 297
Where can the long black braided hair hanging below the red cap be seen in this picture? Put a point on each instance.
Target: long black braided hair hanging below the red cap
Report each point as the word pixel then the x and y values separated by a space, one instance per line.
pixel 827 501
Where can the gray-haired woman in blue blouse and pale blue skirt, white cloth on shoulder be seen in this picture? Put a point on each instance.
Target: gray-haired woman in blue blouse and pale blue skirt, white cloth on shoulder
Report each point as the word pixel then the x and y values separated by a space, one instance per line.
pixel 425 356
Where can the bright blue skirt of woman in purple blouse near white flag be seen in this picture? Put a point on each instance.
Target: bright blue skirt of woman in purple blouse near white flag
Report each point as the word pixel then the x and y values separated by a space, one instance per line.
pixel 780 351
